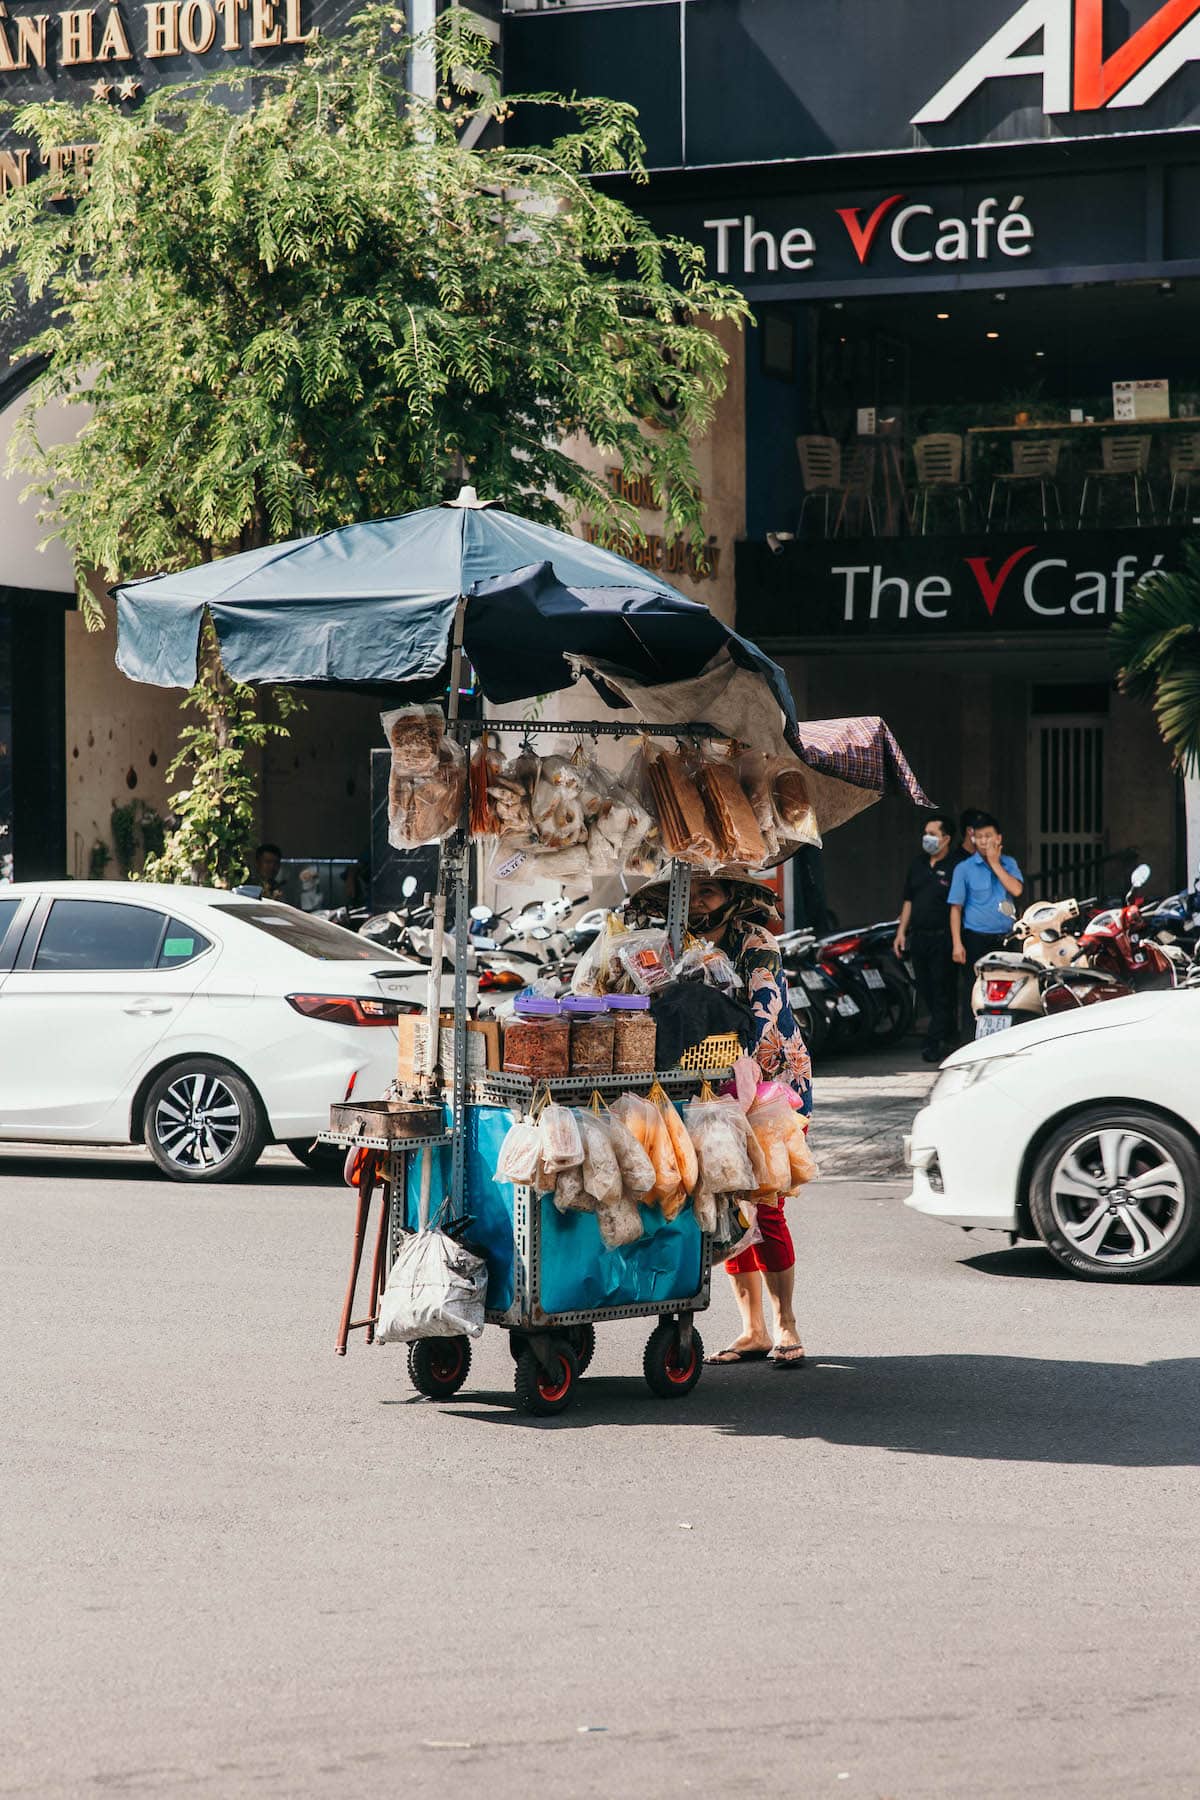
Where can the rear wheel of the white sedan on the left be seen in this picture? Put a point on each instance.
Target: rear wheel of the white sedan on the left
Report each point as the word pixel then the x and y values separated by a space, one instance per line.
pixel 204 1122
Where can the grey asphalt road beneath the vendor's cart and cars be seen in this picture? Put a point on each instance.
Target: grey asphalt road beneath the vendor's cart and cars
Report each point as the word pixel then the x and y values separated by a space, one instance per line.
pixel 956 1556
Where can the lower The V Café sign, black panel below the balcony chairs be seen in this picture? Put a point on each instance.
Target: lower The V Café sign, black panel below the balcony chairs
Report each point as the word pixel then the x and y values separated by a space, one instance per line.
pixel 985 584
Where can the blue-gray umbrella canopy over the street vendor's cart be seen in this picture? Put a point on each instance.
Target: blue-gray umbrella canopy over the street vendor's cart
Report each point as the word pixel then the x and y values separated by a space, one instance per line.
pixel 375 606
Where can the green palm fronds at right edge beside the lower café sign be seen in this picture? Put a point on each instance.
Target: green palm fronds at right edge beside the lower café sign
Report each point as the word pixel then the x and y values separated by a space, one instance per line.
pixel 1158 647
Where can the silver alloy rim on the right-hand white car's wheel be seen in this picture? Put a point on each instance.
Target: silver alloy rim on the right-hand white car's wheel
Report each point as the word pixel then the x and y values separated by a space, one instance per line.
pixel 1118 1196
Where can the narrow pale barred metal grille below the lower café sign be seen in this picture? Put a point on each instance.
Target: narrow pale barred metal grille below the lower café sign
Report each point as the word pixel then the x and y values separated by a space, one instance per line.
pixel 1068 804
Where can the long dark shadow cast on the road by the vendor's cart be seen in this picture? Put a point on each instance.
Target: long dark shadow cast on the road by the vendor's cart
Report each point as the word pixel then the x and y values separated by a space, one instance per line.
pixel 1005 1408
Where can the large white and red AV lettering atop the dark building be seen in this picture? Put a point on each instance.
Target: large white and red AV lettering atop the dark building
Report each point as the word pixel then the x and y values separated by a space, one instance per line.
pixel 1071 64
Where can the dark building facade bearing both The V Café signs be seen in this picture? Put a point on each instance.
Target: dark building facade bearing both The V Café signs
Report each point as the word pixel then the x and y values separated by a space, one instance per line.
pixel 969 417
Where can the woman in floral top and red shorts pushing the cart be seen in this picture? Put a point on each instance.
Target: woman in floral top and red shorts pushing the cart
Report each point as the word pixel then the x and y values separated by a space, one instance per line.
pixel 735 912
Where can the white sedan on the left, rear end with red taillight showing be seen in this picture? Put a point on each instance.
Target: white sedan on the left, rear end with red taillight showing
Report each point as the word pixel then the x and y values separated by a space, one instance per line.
pixel 197 1021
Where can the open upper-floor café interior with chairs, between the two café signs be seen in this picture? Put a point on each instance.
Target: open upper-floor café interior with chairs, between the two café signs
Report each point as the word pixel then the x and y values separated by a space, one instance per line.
pixel 1062 408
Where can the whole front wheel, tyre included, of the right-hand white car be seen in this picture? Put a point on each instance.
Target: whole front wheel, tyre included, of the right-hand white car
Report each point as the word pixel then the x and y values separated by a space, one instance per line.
pixel 1116 1196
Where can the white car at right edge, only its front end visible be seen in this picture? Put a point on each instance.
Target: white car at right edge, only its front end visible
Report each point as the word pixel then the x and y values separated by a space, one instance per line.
pixel 1082 1131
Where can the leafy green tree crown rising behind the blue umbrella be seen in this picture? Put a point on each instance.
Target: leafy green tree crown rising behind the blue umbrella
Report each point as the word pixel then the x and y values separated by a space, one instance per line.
pixel 296 300
